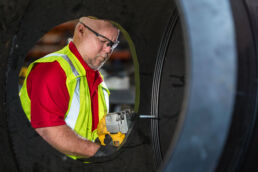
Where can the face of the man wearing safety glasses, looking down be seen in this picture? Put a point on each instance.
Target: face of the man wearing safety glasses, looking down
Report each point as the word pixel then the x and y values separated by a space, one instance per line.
pixel 97 50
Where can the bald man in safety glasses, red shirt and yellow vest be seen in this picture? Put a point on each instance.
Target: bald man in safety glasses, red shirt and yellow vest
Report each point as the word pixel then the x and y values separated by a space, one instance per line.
pixel 64 95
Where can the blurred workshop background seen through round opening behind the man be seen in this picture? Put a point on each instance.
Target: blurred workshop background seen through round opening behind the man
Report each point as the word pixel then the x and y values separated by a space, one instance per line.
pixel 118 70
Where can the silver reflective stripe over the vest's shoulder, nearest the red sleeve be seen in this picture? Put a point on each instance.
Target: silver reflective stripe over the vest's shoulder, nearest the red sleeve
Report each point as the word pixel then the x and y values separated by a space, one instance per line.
pixel 73 113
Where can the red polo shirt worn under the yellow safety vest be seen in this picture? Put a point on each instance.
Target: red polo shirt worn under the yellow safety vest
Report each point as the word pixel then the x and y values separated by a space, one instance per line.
pixel 46 85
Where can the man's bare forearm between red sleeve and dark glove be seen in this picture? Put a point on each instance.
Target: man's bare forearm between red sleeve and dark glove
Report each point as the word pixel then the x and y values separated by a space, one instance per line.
pixel 64 139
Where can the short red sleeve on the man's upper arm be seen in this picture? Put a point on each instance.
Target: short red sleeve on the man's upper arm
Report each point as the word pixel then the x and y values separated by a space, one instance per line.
pixel 46 85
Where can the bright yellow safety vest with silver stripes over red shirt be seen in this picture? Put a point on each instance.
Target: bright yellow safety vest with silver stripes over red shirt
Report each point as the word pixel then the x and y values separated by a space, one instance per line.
pixel 79 114
